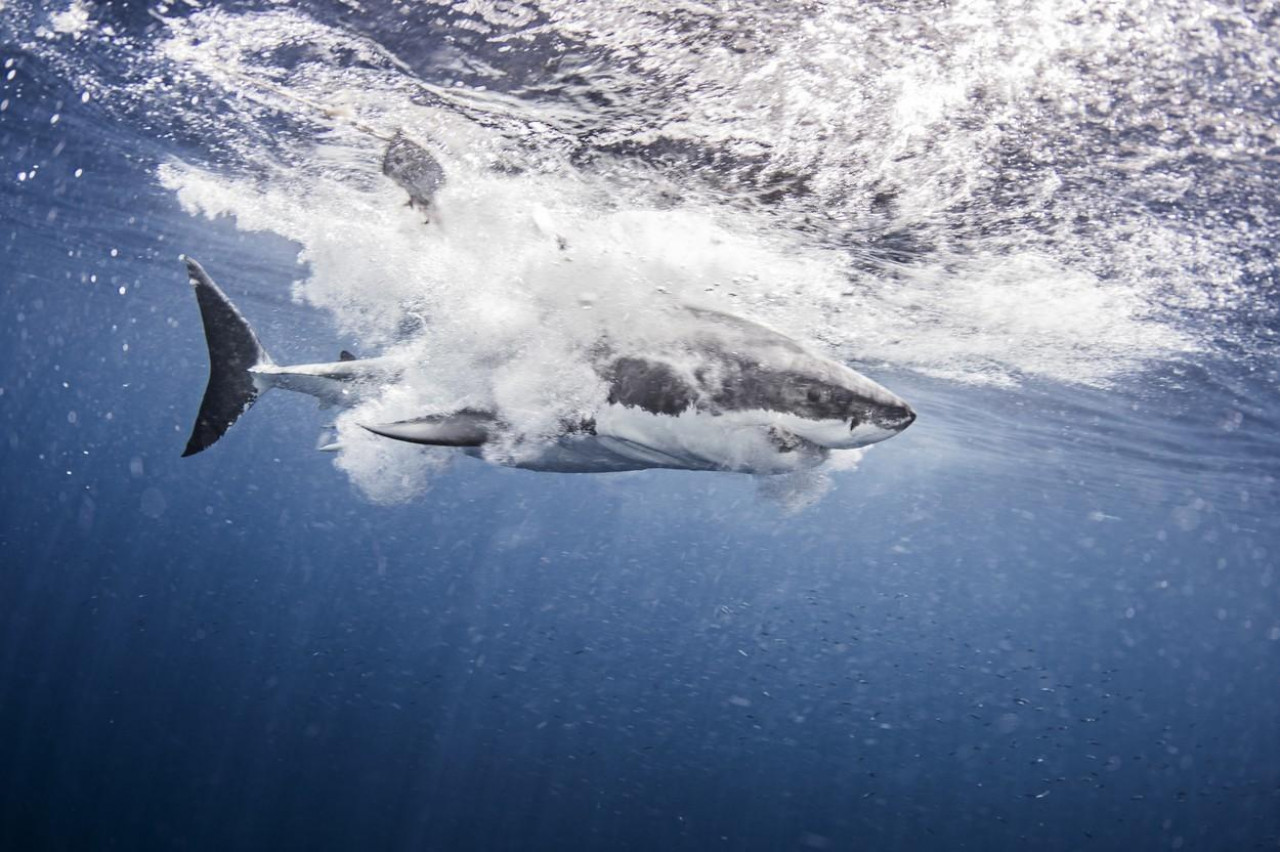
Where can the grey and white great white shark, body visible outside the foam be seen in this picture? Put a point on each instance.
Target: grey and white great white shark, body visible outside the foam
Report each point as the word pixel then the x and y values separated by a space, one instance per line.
pixel 728 395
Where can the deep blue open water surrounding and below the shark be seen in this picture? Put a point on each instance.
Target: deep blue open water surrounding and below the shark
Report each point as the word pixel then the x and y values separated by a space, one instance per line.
pixel 1046 617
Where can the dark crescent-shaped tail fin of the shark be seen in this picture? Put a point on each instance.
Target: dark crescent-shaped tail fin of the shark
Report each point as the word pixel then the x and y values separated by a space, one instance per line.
pixel 234 349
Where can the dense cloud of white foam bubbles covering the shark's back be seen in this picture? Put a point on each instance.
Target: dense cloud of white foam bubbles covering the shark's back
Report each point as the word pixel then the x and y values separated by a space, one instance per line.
pixel 513 300
